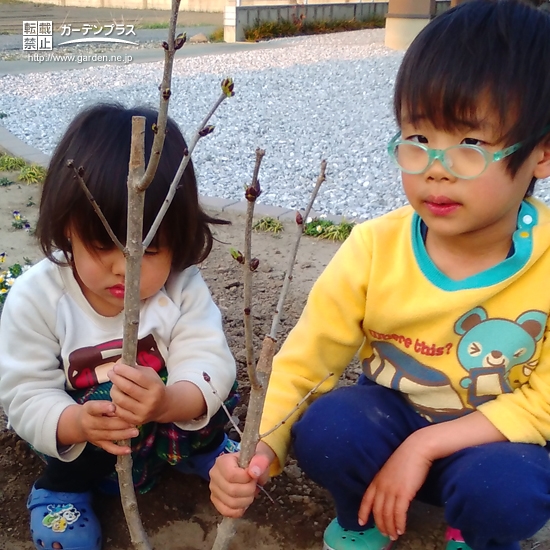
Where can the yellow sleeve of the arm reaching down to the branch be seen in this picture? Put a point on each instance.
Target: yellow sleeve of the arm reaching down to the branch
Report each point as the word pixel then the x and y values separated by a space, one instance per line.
pixel 325 339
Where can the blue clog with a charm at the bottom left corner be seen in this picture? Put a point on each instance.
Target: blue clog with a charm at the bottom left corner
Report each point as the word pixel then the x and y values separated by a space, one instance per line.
pixel 65 519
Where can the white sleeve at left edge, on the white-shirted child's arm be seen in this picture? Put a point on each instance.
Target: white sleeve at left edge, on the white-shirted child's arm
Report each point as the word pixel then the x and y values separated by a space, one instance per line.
pixel 32 383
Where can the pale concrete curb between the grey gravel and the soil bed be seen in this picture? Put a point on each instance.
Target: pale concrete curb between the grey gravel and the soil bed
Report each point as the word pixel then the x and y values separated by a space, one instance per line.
pixel 16 147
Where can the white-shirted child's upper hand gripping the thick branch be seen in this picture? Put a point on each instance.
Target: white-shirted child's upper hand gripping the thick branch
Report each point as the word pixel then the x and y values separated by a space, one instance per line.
pixel 138 393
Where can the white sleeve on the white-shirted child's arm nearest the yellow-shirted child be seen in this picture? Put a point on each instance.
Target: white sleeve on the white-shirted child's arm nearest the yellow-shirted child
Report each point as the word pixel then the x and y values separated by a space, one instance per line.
pixel 198 344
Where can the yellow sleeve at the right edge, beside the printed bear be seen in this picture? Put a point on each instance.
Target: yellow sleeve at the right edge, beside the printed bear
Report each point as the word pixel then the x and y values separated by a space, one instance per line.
pixel 523 416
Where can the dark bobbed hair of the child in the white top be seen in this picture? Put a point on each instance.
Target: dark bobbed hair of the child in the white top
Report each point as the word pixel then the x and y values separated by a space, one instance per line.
pixel 98 140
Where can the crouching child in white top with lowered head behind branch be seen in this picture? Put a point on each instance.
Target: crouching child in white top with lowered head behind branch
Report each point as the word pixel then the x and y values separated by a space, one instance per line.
pixel 61 382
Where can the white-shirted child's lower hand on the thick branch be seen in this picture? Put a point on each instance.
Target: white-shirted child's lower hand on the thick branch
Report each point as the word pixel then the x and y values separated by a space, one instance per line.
pixel 101 426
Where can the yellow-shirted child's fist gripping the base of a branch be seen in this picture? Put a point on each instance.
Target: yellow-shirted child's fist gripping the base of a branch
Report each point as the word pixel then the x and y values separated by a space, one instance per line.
pixel 232 489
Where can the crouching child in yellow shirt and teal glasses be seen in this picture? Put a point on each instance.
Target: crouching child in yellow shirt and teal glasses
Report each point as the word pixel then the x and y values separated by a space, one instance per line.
pixel 447 301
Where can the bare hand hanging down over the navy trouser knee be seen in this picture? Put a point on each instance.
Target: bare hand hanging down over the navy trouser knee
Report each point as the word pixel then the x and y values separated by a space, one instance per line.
pixel 389 495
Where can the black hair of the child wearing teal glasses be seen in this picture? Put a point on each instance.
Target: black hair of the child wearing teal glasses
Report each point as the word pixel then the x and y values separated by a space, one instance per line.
pixel 481 54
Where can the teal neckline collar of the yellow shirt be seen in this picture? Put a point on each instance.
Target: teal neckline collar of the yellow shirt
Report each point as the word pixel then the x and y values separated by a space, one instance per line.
pixel 523 247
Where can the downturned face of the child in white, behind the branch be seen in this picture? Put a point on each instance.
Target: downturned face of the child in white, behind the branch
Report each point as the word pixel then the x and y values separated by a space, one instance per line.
pixel 100 273
